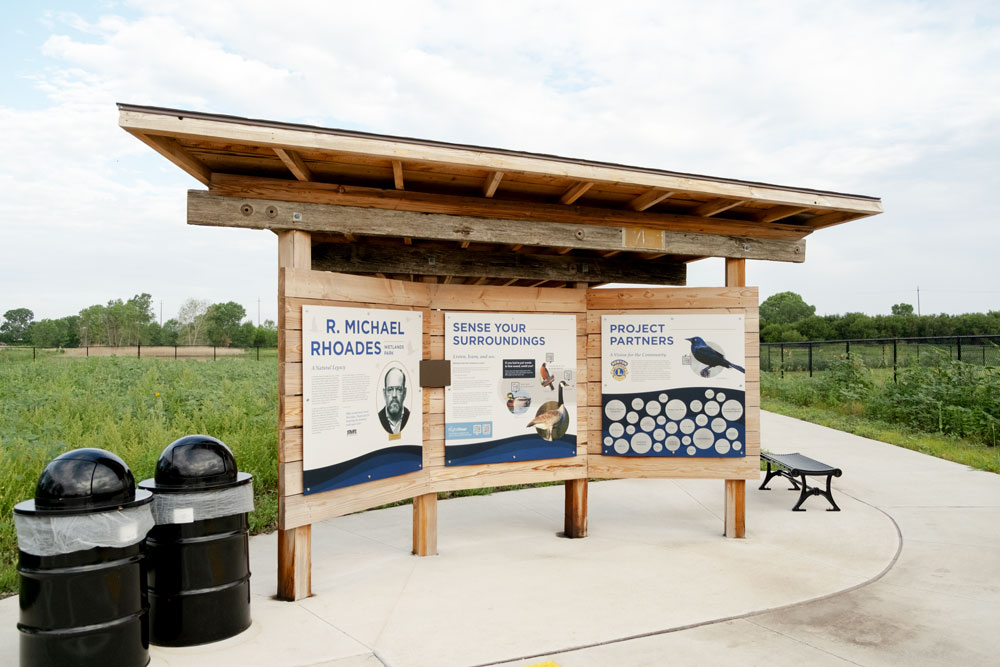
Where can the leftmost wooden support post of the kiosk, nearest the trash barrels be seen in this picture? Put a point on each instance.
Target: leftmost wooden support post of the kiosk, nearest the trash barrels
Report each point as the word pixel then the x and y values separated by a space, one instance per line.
pixel 294 544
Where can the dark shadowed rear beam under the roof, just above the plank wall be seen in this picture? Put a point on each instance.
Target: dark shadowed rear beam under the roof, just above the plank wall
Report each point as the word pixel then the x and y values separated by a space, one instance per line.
pixel 371 259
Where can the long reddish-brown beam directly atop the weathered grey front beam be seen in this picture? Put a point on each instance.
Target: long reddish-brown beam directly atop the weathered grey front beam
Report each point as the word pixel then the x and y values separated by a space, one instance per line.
pixel 346 195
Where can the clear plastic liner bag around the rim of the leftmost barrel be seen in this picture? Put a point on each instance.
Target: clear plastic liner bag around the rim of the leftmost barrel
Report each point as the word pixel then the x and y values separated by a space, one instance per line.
pixel 55 535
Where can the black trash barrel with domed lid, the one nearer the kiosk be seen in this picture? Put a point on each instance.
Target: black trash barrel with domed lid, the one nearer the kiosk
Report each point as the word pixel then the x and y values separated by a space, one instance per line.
pixel 199 562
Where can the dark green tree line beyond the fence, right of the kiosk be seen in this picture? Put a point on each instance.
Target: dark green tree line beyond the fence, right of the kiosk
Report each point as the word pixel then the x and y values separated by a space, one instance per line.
pixel 785 317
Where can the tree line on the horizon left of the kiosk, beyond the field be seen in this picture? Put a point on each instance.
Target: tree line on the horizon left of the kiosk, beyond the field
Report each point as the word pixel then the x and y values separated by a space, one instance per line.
pixel 132 322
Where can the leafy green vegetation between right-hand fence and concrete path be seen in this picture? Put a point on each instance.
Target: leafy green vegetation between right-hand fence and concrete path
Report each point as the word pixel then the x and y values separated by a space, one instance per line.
pixel 949 408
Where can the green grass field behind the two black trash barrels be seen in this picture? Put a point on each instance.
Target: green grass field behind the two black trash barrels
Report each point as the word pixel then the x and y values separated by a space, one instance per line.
pixel 133 408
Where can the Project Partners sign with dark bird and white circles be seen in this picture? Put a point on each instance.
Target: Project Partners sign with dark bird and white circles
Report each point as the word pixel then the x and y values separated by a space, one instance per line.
pixel 673 385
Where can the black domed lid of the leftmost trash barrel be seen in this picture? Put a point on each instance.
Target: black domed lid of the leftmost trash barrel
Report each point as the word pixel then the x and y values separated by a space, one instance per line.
pixel 84 481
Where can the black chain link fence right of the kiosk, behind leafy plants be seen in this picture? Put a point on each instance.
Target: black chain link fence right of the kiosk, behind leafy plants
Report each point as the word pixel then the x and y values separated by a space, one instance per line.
pixel 894 353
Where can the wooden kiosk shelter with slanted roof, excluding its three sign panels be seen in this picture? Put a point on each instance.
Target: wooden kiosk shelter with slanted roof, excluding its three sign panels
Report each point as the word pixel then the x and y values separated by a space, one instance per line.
pixel 374 221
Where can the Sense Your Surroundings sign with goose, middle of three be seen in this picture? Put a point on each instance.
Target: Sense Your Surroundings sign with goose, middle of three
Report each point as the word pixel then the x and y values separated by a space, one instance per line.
pixel 513 391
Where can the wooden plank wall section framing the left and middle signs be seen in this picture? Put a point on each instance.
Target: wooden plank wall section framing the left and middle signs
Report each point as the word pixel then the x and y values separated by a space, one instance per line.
pixel 306 287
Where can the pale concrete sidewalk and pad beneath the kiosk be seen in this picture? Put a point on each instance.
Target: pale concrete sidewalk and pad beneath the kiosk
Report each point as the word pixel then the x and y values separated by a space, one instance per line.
pixel 655 582
